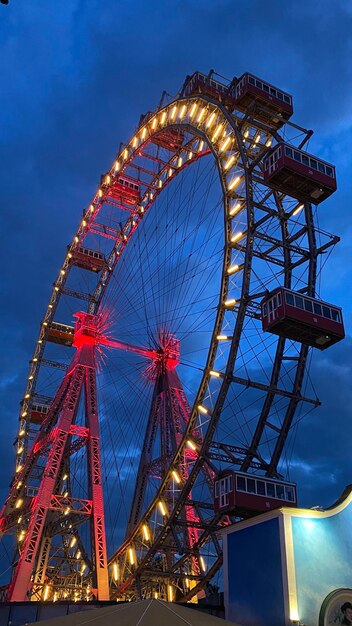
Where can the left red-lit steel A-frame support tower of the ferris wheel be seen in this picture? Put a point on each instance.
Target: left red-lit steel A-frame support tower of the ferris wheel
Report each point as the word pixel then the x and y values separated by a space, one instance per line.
pixel 81 376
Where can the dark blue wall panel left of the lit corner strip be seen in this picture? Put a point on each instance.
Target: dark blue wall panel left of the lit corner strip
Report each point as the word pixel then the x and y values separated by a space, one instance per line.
pixel 255 590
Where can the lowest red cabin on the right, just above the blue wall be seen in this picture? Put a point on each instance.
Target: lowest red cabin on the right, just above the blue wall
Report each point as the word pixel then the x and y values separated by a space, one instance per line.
pixel 241 492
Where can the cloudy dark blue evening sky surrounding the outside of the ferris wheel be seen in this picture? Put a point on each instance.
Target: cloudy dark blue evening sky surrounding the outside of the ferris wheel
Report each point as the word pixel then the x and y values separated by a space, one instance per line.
pixel 75 77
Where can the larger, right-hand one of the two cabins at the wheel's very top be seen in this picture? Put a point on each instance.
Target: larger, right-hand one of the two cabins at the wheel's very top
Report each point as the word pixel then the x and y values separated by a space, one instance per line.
pixel 272 105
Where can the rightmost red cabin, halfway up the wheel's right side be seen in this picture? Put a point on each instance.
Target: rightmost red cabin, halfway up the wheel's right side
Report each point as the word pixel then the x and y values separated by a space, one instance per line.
pixel 301 318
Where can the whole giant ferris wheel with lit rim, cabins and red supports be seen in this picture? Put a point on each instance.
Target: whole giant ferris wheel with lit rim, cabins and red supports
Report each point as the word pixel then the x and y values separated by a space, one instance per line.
pixel 171 364
